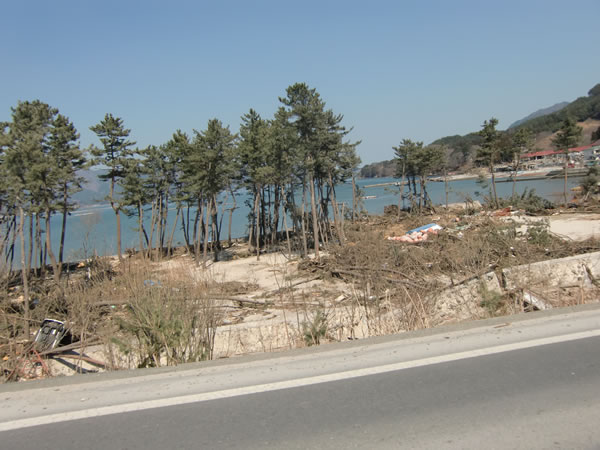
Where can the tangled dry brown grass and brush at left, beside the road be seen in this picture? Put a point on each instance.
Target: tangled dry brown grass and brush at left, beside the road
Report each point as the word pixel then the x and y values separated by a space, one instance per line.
pixel 139 319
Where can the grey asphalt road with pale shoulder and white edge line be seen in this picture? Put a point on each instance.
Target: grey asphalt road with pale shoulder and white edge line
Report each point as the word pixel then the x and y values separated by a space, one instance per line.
pixel 538 386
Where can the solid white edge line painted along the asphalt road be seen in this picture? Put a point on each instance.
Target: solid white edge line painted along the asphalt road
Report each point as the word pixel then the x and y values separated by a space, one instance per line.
pixel 235 392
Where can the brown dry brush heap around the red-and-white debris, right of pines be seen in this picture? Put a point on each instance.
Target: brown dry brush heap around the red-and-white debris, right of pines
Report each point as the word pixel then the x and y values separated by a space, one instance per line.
pixel 396 283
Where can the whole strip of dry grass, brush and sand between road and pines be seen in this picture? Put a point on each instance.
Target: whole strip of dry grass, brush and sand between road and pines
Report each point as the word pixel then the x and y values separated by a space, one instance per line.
pixel 152 315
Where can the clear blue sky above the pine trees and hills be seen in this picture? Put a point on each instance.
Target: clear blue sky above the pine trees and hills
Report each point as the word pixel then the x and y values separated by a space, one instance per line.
pixel 394 69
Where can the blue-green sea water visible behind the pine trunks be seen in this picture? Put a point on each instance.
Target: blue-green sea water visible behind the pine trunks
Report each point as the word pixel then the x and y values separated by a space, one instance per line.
pixel 93 230
